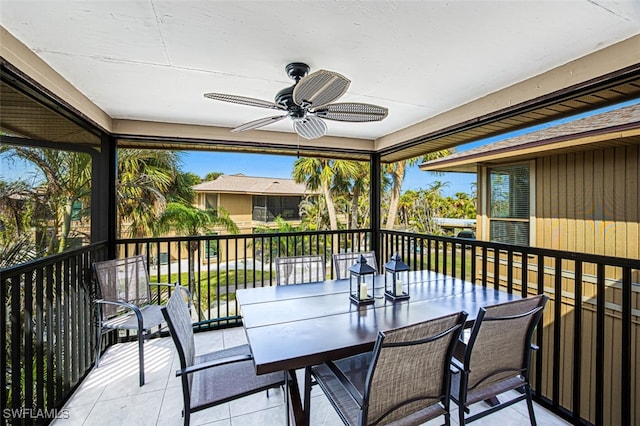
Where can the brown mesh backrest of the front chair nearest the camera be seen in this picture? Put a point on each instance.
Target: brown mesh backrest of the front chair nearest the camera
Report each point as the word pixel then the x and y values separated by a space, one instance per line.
pixel 410 369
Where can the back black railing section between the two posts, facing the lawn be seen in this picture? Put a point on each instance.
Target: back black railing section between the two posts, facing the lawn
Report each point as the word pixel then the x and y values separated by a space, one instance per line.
pixel 214 266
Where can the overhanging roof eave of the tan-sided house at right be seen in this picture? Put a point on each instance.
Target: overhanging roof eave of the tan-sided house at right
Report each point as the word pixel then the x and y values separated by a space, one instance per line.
pixel 616 127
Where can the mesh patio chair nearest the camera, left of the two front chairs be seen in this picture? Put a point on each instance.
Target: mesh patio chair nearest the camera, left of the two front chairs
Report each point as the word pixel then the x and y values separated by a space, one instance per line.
pixel 405 380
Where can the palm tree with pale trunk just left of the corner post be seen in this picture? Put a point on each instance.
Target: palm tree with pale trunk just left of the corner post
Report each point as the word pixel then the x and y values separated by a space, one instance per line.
pixel 326 175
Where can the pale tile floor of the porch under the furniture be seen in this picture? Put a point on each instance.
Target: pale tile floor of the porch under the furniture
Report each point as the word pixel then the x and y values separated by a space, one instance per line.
pixel 111 395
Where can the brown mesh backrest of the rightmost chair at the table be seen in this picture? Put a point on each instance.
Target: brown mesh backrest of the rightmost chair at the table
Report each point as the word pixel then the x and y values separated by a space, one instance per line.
pixel 499 346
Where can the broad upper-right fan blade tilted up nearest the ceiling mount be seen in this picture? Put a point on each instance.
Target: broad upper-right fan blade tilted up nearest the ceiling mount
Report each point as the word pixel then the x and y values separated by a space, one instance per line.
pixel 320 88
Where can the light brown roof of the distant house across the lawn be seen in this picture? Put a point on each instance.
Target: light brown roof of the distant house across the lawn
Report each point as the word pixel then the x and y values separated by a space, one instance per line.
pixel 241 184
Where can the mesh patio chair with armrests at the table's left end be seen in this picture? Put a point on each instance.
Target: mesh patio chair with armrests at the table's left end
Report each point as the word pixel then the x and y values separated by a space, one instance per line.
pixel 216 377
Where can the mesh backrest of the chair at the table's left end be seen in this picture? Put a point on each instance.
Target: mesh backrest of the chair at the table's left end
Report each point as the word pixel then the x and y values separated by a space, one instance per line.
pixel 176 314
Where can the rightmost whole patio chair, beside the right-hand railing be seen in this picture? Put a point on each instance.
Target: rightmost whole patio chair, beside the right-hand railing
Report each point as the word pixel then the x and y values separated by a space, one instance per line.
pixel 497 357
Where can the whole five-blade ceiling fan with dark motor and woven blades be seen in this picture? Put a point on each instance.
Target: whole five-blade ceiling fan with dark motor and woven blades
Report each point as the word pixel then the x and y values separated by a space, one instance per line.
pixel 308 102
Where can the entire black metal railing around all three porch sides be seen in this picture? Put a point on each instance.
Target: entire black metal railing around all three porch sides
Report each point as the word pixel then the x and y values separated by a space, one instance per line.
pixel 585 371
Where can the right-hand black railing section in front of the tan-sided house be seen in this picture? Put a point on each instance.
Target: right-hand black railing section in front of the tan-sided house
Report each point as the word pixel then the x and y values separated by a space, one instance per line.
pixel 586 370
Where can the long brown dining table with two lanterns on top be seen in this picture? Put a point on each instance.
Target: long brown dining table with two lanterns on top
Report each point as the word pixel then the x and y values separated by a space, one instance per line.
pixel 295 326
